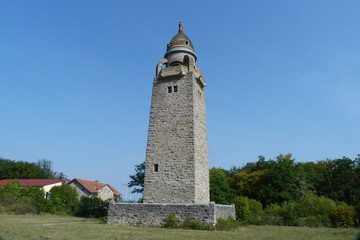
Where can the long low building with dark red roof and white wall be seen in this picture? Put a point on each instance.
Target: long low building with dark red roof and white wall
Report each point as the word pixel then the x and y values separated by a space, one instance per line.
pixel 44 184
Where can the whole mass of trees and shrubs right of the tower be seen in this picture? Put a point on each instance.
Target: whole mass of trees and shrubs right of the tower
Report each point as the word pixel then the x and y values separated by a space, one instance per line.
pixel 284 192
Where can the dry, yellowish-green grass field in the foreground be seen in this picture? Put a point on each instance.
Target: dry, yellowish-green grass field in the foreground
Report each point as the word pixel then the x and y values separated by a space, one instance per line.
pixel 55 227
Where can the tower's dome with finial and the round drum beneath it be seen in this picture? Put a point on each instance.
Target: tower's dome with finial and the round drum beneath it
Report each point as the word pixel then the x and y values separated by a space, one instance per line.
pixel 180 50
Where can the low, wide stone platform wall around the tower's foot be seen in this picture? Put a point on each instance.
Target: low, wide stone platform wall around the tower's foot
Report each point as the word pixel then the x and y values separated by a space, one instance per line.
pixel 155 214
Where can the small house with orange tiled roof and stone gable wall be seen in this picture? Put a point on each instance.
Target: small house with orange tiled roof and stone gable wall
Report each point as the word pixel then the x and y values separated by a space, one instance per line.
pixel 94 188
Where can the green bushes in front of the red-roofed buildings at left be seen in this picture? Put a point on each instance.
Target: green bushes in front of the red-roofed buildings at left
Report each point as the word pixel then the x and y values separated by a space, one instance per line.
pixel 64 200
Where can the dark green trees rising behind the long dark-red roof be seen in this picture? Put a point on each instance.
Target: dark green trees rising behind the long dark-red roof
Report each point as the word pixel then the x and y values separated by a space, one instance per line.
pixel 42 169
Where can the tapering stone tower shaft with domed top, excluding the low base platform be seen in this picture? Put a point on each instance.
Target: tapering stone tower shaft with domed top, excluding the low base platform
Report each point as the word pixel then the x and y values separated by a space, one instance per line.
pixel 177 150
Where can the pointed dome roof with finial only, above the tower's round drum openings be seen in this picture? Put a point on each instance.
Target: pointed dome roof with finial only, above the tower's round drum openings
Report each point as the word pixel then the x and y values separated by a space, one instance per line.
pixel 180 43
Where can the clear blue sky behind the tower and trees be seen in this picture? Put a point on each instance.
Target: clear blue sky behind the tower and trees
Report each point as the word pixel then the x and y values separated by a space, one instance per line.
pixel 76 79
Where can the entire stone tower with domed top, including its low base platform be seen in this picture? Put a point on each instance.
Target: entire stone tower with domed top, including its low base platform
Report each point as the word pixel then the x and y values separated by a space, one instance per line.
pixel 176 170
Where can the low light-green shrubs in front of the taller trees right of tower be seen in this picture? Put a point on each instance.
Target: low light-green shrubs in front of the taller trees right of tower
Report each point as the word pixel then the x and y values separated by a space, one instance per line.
pixel 310 210
